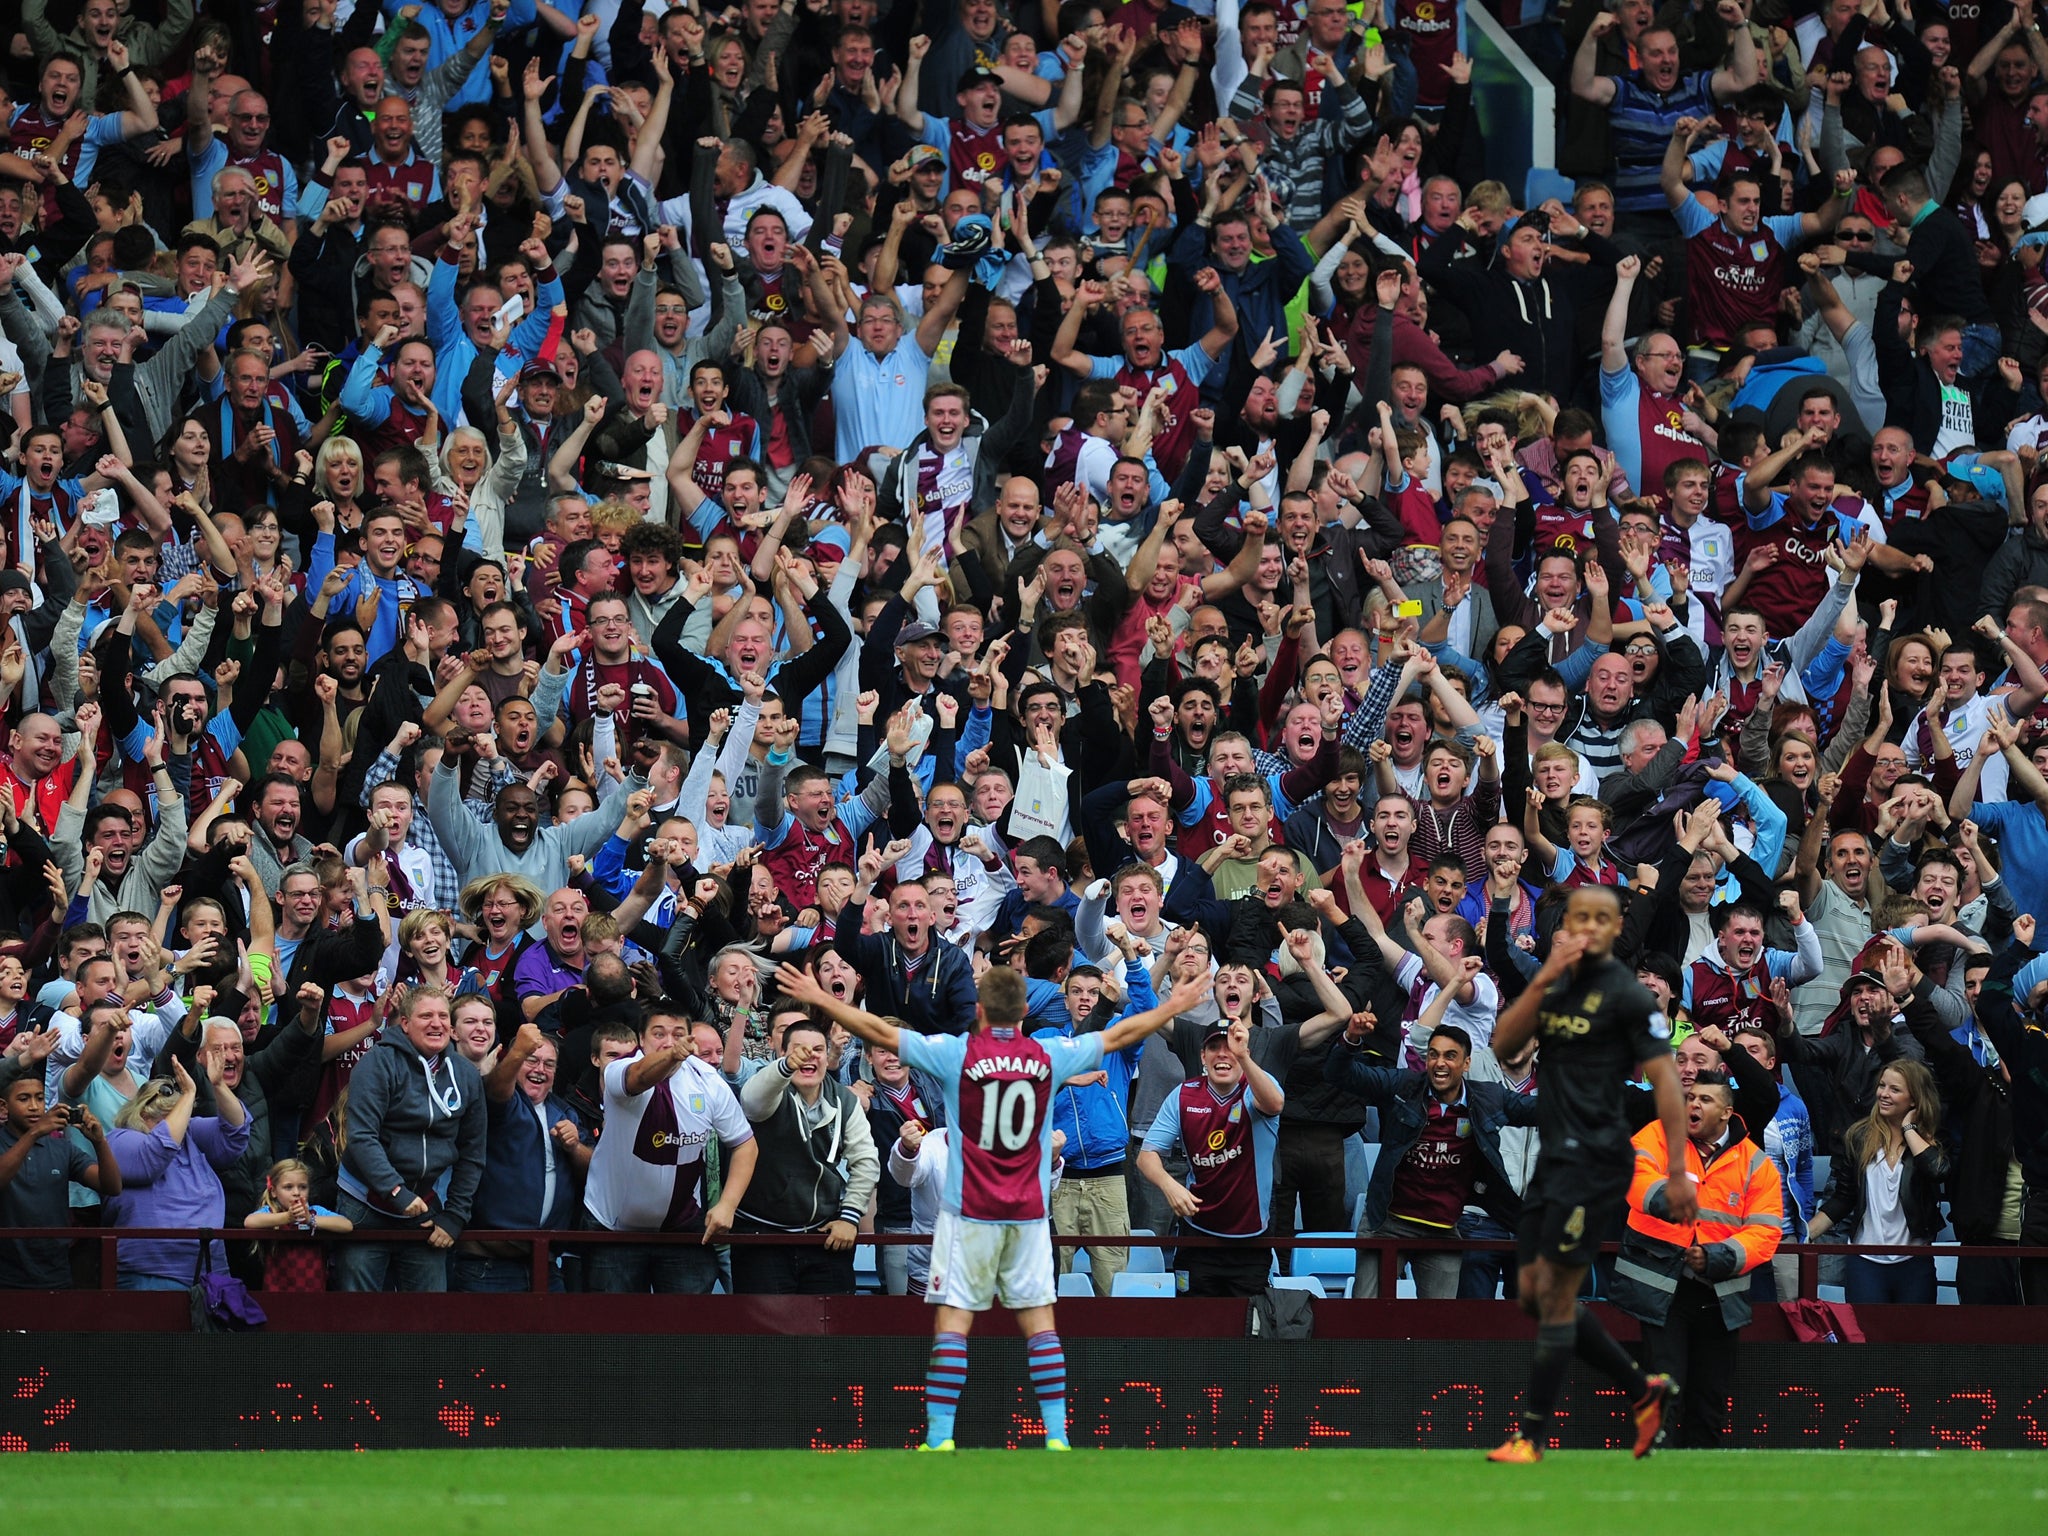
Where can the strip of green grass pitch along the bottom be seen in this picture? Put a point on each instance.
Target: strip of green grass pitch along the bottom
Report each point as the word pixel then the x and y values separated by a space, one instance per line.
pixel 1029 1492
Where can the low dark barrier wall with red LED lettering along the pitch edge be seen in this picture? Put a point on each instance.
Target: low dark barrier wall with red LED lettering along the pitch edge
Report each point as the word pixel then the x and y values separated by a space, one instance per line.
pixel 847 1373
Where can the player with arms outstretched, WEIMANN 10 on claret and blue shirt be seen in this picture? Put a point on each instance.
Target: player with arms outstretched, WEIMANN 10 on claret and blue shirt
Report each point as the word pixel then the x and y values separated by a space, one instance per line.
pixel 992 1236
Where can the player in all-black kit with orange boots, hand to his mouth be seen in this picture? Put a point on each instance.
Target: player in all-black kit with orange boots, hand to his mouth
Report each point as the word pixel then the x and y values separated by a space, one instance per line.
pixel 1596 1027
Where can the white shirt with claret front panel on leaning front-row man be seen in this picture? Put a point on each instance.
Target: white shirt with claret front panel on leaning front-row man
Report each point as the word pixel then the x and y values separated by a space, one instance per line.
pixel 656 1140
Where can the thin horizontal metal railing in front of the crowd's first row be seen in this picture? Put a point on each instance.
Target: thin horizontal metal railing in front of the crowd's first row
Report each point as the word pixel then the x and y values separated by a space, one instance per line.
pixel 544 1244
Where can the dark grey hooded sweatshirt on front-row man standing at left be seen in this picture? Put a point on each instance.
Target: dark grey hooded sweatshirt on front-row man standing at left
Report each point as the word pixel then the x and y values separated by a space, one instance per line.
pixel 409 1125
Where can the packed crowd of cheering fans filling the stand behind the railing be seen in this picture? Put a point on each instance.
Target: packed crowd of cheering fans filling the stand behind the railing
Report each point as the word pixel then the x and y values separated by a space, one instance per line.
pixel 546 550
